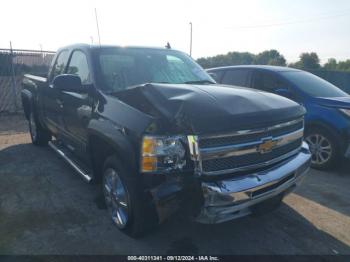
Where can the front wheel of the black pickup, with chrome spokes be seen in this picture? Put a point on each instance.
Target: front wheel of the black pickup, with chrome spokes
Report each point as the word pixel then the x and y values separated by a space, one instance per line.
pixel 136 215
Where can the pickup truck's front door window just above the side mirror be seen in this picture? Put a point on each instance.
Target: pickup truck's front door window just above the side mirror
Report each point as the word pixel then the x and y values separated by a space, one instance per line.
pixel 78 65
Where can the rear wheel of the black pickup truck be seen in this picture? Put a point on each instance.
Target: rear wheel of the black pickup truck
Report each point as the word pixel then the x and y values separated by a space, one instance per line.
pixel 39 136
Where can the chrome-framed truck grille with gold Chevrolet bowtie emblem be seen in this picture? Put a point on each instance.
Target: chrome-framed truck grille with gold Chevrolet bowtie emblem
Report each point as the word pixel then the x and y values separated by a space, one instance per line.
pixel 248 149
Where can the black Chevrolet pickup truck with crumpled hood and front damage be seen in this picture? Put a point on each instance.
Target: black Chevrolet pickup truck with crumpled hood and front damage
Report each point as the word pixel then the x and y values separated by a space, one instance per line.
pixel 160 136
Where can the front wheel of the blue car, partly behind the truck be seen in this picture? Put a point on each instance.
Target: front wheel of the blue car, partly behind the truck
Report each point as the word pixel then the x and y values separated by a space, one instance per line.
pixel 324 147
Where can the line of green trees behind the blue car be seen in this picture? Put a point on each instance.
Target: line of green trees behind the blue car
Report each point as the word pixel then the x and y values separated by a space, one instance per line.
pixel 307 61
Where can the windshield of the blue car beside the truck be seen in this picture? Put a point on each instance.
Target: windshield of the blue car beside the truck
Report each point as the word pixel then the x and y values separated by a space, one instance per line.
pixel 313 85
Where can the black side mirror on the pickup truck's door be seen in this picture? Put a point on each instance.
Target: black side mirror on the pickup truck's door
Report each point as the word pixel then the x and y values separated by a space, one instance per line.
pixel 68 83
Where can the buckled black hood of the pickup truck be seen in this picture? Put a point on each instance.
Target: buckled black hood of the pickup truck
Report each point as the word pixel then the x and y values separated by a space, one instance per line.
pixel 206 109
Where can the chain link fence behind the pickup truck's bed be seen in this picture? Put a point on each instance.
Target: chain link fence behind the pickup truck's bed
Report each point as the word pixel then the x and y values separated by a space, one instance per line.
pixel 14 63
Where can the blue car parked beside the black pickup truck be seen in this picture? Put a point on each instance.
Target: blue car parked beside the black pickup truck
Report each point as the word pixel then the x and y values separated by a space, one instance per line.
pixel 327 122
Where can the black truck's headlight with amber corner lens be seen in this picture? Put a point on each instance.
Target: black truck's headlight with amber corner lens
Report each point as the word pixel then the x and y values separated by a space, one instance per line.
pixel 162 153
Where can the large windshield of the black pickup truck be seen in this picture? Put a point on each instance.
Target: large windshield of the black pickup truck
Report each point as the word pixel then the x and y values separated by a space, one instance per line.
pixel 119 68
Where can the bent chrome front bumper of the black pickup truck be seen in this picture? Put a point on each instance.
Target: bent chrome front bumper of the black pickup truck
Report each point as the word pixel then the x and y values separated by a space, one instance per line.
pixel 232 198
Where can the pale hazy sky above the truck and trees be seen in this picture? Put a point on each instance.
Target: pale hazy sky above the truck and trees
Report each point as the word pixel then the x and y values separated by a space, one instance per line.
pixel 290 26
